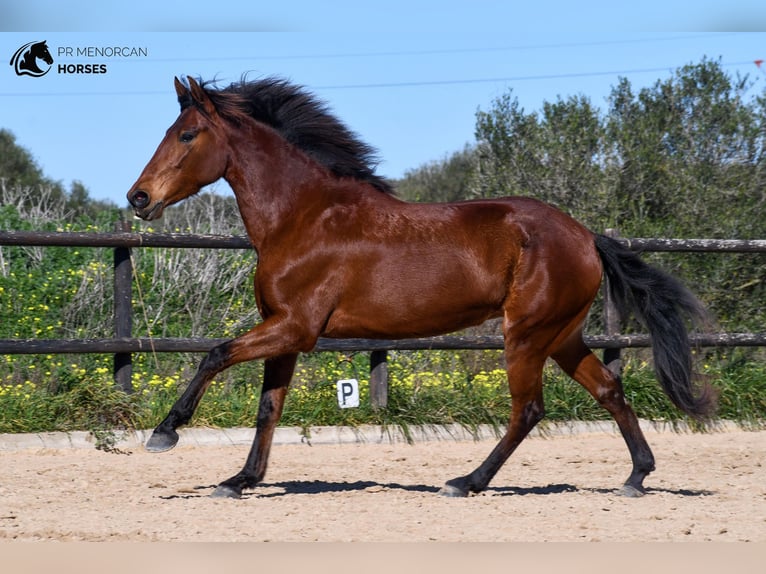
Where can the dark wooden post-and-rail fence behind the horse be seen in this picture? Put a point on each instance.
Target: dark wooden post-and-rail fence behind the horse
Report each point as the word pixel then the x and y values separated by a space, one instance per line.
pixel 123 344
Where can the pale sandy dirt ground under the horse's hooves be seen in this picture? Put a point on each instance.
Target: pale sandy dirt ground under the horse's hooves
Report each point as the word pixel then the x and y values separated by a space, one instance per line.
pixel 707 487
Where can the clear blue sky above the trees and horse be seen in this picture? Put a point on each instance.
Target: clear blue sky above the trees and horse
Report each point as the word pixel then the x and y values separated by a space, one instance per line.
pixel 406 76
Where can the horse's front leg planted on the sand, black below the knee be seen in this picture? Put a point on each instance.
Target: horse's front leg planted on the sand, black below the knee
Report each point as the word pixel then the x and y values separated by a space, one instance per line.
pixel 278 372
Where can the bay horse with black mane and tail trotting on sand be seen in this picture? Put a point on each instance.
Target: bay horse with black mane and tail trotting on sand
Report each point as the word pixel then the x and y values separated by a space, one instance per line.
pixel 340 256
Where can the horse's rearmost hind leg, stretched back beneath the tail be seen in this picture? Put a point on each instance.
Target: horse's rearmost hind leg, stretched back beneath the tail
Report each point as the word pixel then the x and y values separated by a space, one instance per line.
pixel 582 365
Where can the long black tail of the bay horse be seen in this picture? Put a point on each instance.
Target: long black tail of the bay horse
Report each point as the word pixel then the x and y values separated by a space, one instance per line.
pixel 662 304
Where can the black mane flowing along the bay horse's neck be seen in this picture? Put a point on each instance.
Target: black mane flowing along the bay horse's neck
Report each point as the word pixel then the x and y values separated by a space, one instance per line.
pixel 303 120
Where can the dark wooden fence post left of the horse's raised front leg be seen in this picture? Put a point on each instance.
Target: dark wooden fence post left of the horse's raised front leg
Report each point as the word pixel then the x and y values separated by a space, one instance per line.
pixel 123 312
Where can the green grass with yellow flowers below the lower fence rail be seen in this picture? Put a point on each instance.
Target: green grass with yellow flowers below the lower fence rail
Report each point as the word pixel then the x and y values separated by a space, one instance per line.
pixel 424 389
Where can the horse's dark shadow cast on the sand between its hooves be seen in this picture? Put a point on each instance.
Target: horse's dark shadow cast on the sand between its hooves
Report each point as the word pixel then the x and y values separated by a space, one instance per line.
pixel 292 487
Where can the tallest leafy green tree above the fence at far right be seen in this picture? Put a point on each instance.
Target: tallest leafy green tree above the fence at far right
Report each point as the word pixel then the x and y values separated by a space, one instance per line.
pixel 685 154
